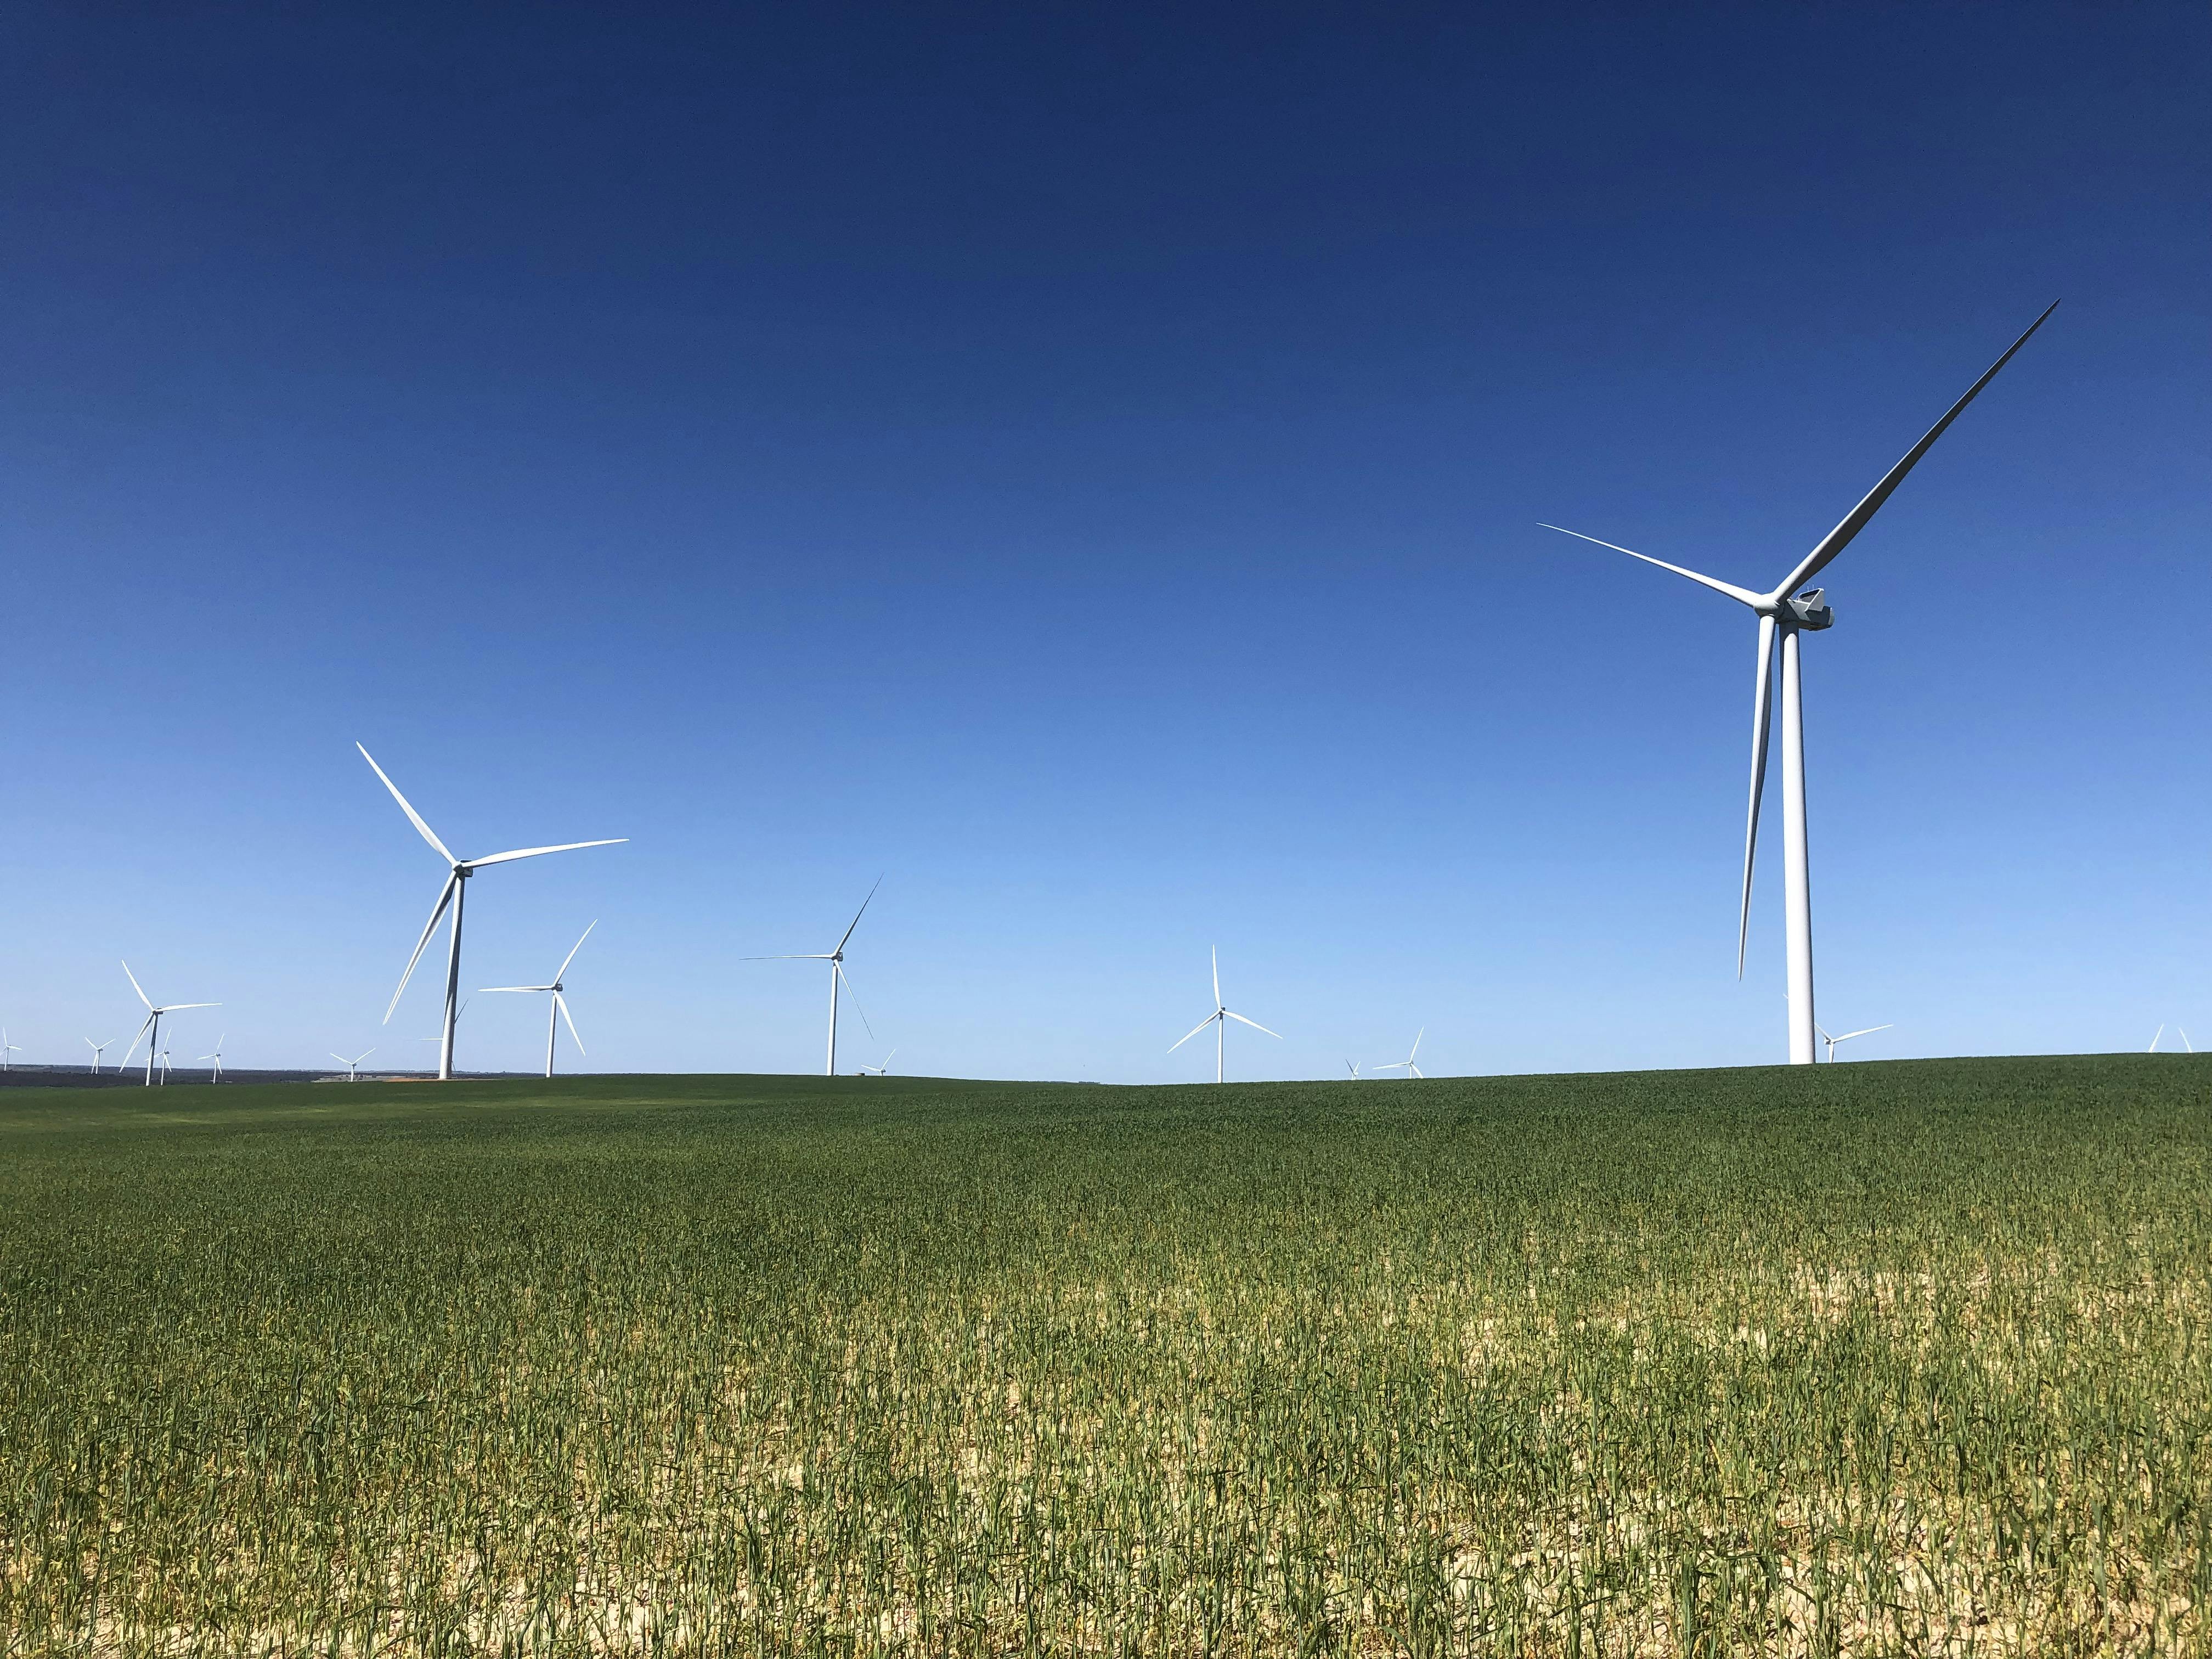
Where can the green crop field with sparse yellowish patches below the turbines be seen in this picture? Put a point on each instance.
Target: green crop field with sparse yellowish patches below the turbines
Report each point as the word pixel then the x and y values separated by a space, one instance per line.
pixel 1853 1359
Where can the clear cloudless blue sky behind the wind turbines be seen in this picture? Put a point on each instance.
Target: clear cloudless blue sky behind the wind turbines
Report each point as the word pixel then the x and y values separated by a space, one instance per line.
pixel 1085 466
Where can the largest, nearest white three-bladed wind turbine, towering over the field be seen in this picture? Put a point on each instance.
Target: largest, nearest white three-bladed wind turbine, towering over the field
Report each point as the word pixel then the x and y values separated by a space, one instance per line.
pixel 1788 612
